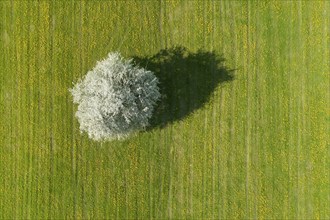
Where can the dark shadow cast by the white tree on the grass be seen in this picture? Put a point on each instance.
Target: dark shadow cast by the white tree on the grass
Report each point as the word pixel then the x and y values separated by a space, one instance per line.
pixel 187 81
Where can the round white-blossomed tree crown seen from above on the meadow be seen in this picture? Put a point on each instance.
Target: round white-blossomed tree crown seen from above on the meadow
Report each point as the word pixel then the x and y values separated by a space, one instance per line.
pixel 115 99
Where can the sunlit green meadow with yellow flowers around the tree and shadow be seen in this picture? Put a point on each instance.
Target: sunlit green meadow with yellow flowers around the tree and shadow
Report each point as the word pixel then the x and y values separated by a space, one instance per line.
pixel 258 148
